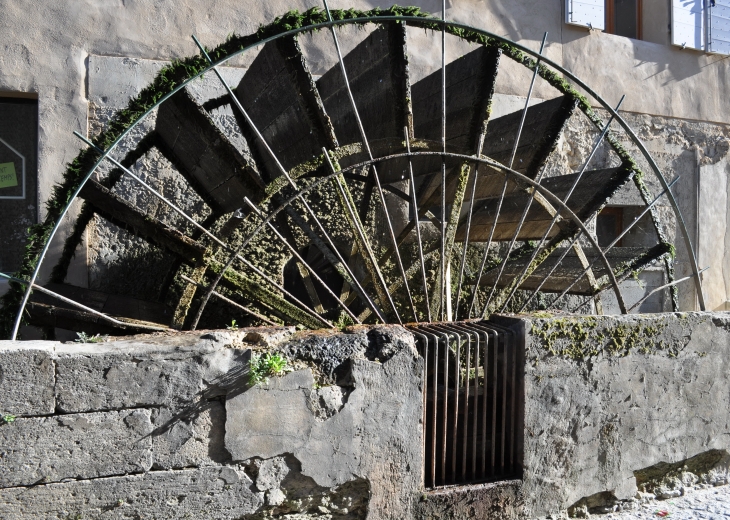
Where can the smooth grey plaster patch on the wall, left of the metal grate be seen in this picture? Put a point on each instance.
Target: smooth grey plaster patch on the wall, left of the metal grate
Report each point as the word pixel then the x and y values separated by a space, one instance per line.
pixel 374 434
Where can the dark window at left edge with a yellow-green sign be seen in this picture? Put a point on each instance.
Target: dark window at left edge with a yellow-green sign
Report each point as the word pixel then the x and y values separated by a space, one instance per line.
pixel 18 184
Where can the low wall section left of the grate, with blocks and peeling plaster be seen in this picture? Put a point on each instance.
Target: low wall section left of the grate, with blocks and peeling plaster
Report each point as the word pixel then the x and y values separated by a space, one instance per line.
pixel 168 427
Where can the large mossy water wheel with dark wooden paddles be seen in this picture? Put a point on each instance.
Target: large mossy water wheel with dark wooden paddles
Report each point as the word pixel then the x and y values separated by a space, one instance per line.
pixel 361 193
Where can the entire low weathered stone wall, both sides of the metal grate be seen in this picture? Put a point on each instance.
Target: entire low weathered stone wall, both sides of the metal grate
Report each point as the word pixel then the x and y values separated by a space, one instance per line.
pixel 168 426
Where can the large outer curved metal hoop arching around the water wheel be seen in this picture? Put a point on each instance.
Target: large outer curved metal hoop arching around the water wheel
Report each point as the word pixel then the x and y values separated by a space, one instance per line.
pixel 416 21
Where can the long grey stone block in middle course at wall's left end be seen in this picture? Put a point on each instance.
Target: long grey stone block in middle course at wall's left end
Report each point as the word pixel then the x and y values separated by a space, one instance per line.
pixel 76 446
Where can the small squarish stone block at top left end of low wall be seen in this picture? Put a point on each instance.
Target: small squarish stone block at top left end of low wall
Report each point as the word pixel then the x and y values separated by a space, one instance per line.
pixel 27 377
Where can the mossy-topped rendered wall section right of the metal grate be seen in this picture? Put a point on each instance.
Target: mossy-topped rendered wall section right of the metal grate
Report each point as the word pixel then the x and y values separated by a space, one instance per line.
pixel 610 398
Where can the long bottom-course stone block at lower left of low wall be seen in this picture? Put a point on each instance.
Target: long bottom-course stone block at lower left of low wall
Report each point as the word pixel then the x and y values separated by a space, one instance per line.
pixel 212 492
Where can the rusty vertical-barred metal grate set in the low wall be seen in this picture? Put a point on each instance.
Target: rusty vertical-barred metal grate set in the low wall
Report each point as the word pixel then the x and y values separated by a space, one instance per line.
pixel 473 402
